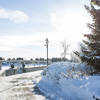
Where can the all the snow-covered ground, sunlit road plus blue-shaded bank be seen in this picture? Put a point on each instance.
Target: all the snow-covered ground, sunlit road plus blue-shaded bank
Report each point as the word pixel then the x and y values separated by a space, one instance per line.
pixel 59 81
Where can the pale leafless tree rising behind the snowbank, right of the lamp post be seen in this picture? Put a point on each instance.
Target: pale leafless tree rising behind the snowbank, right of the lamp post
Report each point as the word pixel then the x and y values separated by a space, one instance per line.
pixel 65 47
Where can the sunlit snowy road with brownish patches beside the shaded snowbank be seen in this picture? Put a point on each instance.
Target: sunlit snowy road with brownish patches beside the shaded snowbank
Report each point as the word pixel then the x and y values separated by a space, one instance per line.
pixel 20 87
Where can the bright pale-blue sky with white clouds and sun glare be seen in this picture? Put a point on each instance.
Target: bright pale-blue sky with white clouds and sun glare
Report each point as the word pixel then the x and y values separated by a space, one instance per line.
pixel 25 25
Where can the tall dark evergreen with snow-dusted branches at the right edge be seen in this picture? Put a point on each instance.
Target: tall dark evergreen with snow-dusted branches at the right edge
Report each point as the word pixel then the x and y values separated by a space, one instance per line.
pixel 90 49
